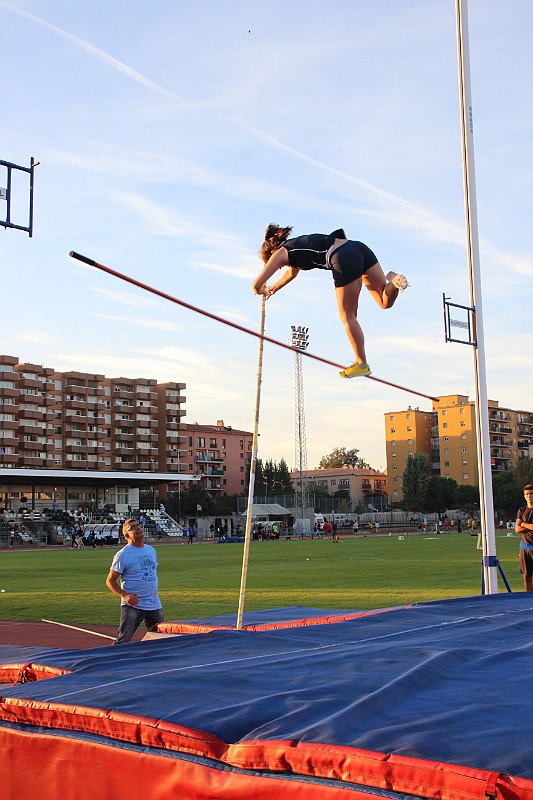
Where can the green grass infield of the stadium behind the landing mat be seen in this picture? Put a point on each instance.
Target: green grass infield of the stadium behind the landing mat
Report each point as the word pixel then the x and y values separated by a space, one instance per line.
pixel 203 580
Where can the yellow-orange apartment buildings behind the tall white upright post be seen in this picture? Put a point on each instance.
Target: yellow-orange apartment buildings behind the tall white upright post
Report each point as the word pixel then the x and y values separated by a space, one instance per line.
pixel 447 435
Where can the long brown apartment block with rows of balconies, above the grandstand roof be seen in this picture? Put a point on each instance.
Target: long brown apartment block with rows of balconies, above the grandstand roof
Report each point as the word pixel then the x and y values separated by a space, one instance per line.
pixel 85 421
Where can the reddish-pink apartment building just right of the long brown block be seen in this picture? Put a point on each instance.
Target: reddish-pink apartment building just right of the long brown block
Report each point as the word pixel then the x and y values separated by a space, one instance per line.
pixel 220 454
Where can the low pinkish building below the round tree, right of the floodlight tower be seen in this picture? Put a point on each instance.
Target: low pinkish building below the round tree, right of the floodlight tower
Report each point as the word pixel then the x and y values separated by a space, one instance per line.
pixel 361 483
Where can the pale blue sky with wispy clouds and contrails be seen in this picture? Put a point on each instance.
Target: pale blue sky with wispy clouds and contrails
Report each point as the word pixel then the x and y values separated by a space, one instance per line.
pixel 170 133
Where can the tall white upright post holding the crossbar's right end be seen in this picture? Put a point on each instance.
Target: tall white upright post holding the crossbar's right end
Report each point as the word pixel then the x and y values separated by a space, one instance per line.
pixel 490 563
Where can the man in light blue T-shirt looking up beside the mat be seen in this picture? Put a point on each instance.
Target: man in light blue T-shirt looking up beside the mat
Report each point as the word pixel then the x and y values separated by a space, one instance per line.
pixel 136 567
